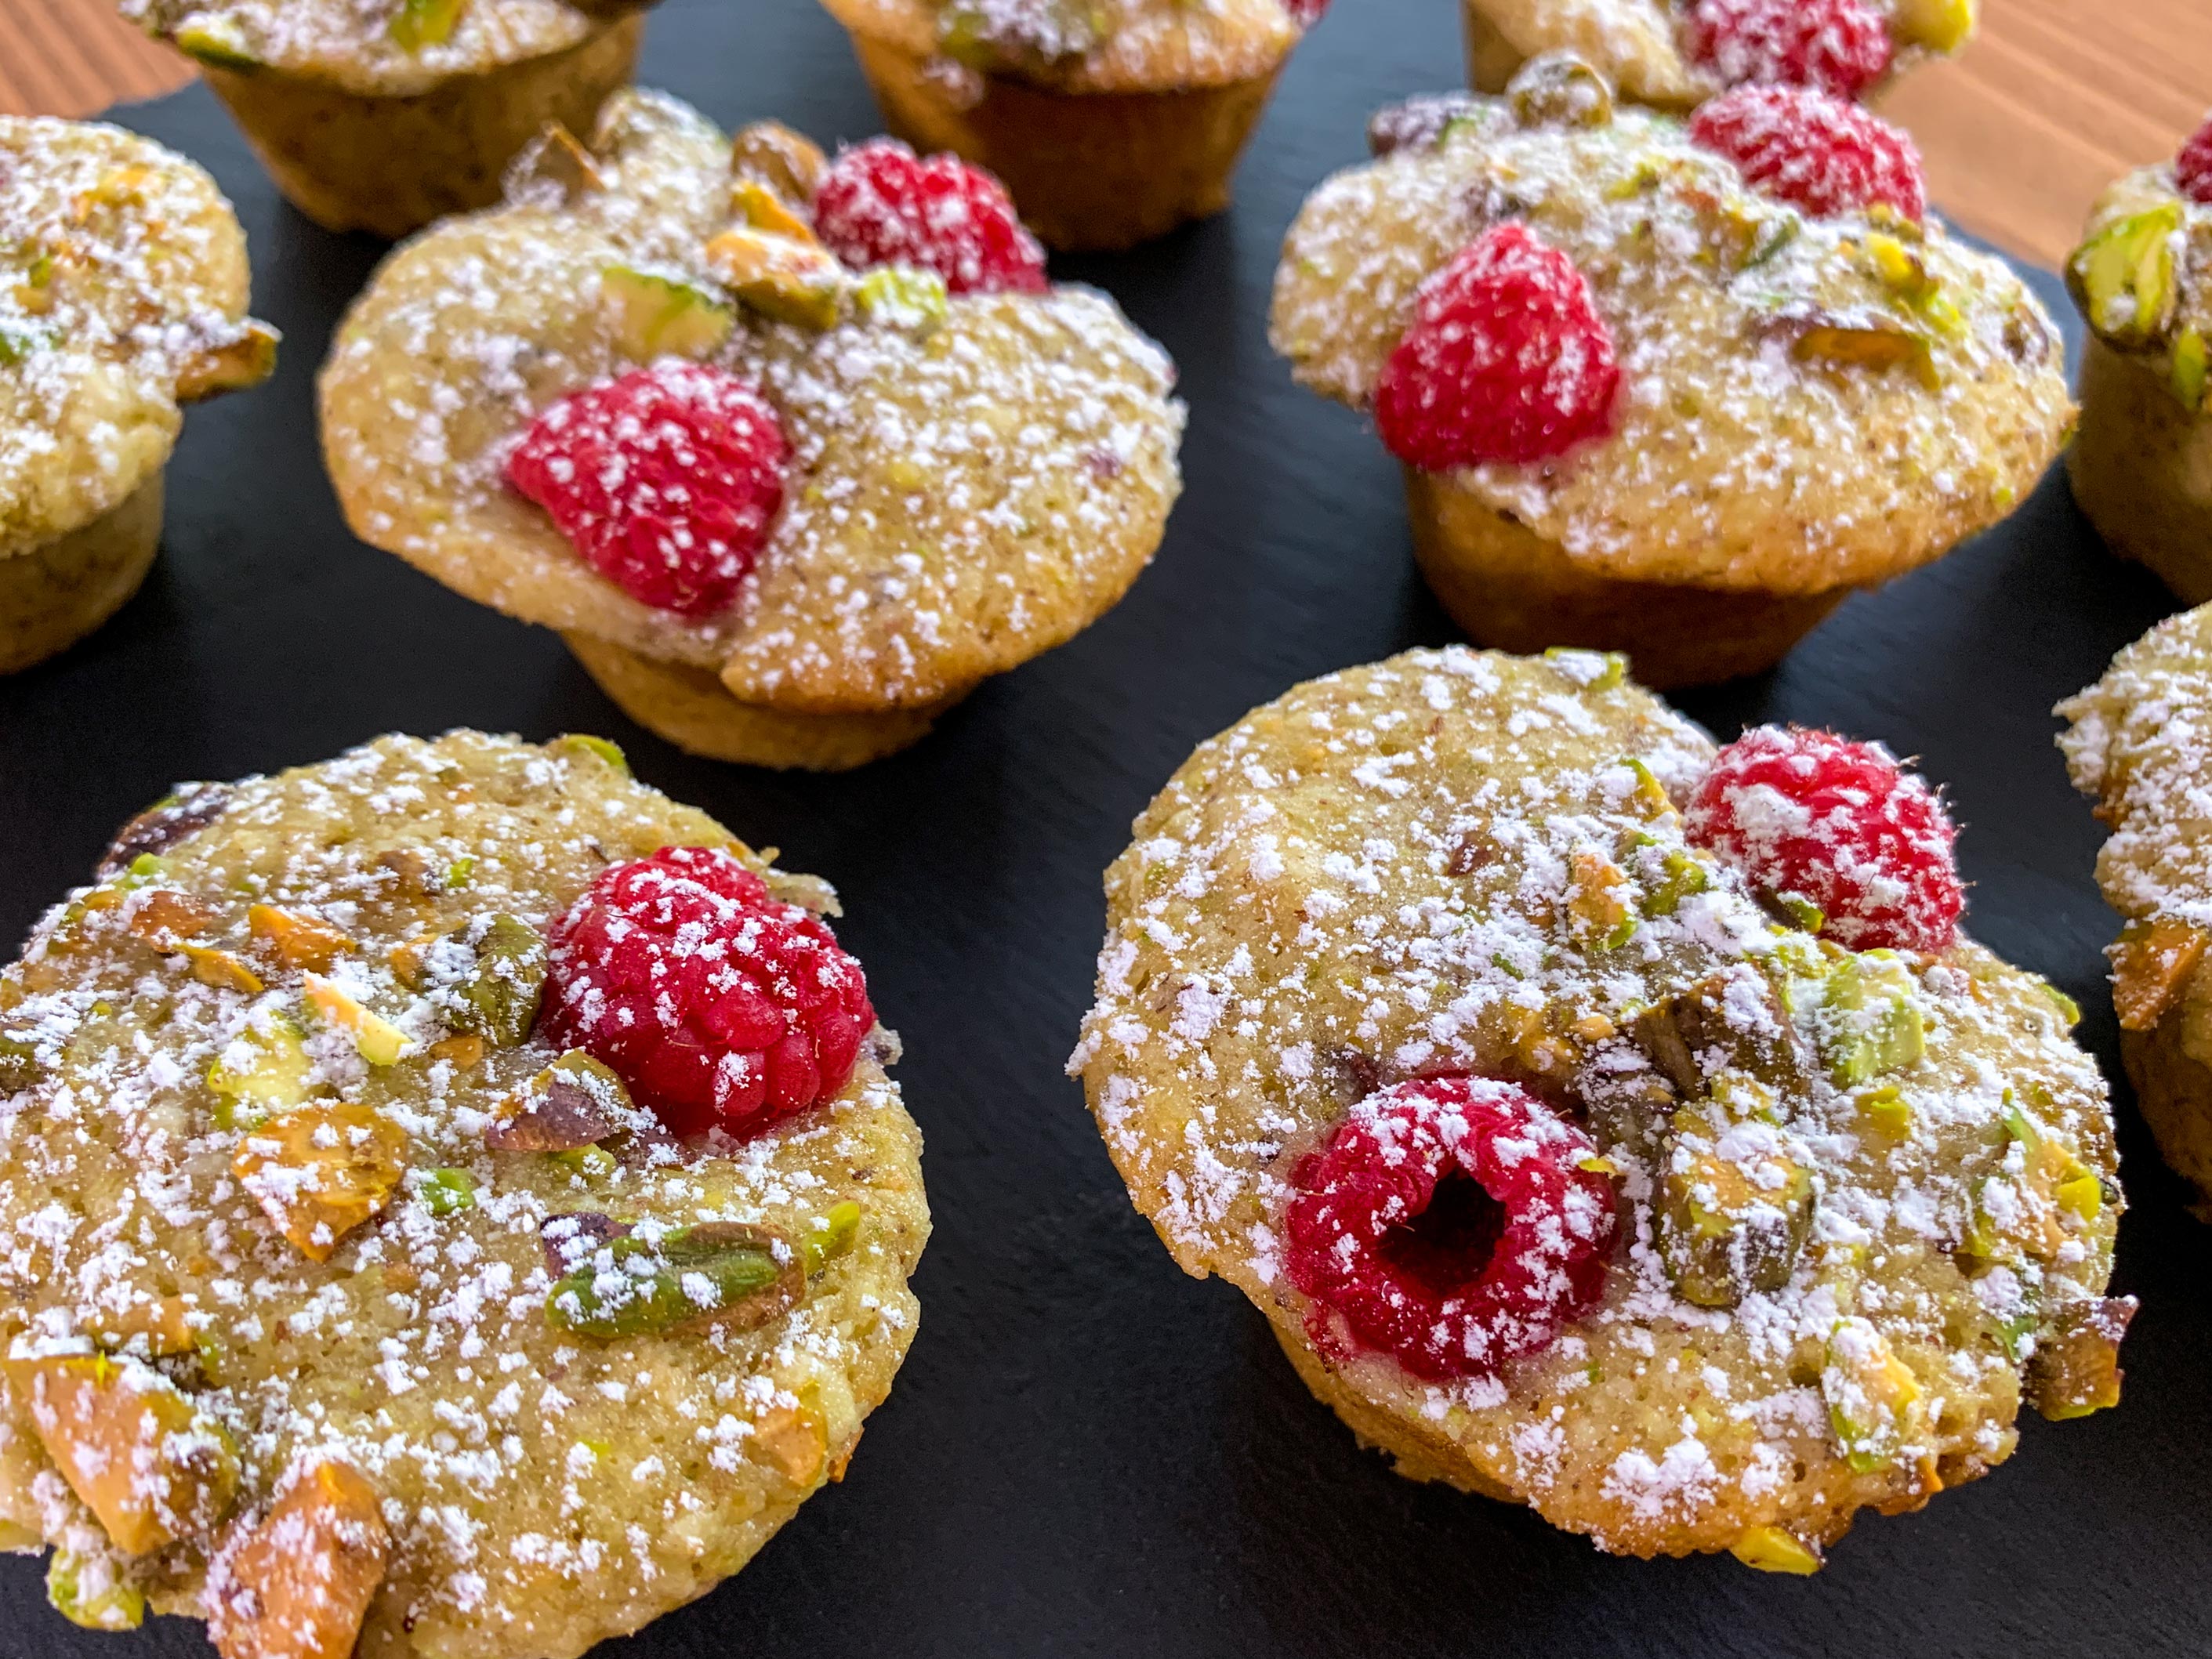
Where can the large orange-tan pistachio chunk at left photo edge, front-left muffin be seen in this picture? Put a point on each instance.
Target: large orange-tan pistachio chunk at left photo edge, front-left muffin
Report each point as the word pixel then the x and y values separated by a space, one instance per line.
pixel 132 1446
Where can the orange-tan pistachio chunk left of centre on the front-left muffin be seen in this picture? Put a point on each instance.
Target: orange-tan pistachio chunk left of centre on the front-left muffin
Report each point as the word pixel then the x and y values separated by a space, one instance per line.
pixel 320 1171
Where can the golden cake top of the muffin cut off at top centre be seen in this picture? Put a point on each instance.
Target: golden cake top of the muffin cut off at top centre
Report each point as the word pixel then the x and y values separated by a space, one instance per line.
pixel 1092 45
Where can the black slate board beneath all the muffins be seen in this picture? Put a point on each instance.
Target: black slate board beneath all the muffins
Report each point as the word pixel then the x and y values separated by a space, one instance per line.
pixel 1089 1452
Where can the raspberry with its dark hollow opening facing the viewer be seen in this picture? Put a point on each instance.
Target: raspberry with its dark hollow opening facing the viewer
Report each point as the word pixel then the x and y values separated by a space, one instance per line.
pixel 1450 1224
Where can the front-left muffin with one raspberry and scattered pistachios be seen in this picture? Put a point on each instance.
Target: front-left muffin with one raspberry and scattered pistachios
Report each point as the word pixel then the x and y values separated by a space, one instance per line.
pixel 452 1200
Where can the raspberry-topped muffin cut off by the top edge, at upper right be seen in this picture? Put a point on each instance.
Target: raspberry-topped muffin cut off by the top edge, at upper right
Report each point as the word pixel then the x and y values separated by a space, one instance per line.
pixel 1676 54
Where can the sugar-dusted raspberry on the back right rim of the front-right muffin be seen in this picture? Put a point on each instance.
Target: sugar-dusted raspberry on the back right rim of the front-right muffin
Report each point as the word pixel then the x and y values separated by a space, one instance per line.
pixel 1835 824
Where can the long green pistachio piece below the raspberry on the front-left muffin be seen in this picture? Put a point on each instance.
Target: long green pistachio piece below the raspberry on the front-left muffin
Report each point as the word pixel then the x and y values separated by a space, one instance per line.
pixel 711 1273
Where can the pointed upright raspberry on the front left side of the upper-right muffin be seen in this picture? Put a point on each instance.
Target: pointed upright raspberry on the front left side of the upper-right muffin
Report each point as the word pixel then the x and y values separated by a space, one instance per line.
pixel 1505 359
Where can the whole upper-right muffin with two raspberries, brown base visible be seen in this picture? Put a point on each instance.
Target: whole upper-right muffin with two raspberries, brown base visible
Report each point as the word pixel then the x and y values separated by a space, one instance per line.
pixel 1667 390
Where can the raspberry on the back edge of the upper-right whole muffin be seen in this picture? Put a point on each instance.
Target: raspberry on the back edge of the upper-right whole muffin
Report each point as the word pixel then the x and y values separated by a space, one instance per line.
pixel 1815 152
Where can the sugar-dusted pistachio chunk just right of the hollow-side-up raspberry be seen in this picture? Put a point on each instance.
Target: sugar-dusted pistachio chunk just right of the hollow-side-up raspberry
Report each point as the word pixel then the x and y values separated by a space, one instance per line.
pixel 1731 1227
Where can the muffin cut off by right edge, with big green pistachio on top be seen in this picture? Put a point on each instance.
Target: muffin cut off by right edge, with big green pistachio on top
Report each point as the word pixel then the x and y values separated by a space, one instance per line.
pixel 2142 463
